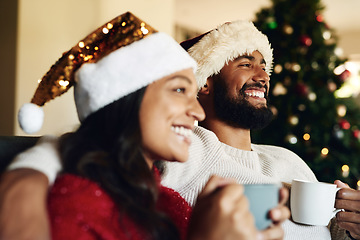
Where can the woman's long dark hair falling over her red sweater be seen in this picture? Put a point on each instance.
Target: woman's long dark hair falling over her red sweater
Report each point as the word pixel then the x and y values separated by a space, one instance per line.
pixel 107 149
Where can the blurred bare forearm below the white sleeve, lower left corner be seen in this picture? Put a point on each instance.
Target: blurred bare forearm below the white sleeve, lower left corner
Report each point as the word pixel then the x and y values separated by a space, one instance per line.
pixel 23 211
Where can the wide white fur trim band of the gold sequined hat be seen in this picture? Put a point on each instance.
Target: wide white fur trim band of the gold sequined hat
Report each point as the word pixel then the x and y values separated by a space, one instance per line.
pixel 126 70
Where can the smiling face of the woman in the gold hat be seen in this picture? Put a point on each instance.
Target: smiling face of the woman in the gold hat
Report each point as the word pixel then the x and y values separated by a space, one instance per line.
pixel 167 114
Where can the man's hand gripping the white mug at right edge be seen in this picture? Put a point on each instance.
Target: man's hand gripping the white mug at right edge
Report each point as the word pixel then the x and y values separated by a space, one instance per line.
pixel 349 200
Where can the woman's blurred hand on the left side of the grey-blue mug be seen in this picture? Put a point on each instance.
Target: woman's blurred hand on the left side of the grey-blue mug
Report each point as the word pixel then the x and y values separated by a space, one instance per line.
pixel 222 212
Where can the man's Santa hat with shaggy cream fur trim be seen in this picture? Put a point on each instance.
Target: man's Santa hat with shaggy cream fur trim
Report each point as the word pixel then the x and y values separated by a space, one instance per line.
pixel 213 49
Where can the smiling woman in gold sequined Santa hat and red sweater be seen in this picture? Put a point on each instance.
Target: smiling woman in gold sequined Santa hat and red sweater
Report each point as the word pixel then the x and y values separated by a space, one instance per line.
pixel 135 95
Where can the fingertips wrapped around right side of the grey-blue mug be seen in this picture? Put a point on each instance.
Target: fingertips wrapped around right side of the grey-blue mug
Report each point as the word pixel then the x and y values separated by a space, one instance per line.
pixel 278 215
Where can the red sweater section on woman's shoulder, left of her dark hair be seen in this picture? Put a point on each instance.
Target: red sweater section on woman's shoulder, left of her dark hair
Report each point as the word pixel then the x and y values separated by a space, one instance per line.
pixel 79 208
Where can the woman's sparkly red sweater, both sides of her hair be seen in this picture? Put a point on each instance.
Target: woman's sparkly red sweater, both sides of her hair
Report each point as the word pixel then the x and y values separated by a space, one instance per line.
pixel 80 209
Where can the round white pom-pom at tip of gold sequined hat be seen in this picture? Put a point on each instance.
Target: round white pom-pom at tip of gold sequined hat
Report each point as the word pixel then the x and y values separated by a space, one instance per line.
pixel 31 117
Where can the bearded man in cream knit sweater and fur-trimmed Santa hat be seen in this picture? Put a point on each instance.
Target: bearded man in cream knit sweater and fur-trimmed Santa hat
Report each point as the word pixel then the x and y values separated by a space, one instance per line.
pixel 233 75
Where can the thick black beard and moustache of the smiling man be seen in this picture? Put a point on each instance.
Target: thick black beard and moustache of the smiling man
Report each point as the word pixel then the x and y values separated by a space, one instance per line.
pixel 237 111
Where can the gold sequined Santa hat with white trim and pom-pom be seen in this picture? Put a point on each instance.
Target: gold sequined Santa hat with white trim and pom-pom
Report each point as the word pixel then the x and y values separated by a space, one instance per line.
pixel 118 58
